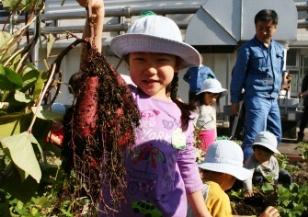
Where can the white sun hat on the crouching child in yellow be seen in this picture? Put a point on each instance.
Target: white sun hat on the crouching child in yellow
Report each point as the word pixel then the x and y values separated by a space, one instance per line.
pixel 226 156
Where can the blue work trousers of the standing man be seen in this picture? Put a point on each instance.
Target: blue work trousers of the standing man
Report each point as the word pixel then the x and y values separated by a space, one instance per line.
pixel 261 114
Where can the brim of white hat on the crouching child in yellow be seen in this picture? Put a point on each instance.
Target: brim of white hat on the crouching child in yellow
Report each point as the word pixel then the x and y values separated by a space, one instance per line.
pixel 238 172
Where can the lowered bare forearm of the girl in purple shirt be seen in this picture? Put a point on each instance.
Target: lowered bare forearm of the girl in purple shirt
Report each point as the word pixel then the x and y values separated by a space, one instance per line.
pixel 197 203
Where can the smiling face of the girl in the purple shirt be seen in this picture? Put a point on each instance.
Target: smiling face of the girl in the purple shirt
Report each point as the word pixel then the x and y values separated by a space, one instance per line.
pixel 152 72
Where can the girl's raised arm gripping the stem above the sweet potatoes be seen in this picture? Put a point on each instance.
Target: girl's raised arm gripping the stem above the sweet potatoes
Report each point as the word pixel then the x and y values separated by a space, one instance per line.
pixel 97 20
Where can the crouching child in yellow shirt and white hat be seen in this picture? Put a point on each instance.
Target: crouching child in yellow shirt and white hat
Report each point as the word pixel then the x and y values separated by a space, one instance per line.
pixel 223 164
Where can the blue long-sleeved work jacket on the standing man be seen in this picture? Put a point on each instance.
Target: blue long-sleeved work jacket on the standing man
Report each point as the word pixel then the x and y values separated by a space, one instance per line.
pixel 258 70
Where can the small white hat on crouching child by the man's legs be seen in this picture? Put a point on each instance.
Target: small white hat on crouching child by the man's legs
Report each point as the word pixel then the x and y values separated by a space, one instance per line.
pixel 267 140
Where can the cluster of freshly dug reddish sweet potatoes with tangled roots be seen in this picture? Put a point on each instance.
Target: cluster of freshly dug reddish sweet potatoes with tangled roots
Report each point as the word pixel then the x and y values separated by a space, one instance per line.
pixel 102 127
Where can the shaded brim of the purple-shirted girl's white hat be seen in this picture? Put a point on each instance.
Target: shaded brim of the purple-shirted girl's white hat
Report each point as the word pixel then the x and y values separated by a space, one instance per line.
pixel 132 42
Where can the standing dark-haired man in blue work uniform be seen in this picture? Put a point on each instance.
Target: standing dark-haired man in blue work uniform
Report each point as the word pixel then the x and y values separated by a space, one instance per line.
pixel 259 71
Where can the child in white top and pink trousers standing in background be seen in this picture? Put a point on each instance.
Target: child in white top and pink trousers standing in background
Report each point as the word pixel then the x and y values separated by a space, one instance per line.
pixel 206 120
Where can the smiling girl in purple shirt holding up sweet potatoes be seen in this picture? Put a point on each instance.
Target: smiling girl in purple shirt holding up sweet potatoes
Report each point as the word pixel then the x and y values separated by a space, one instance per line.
pixel 161 169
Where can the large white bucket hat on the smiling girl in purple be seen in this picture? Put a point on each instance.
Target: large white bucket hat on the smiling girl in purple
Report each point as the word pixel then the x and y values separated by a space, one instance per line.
pixel 156 34
